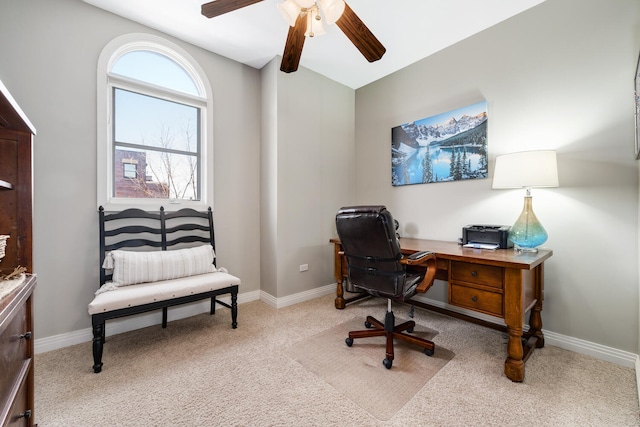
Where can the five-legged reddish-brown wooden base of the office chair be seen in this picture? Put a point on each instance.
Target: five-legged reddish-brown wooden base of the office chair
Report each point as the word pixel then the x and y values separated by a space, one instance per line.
pixel 392 332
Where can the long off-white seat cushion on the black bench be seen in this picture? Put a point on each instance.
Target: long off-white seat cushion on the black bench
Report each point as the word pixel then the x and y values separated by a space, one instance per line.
pixel 144 293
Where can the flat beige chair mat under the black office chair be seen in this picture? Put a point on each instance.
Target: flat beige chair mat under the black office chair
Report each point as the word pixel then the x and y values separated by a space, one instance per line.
pixel 358 372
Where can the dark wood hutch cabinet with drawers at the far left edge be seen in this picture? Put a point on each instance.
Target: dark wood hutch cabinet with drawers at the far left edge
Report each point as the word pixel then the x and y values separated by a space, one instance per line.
pixel 16 307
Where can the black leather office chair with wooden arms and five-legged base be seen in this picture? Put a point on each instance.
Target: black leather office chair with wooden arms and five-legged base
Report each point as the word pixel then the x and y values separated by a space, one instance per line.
pixel 377 266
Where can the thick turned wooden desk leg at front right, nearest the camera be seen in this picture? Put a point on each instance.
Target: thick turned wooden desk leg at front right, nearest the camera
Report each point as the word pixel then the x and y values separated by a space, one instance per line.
pixel 514 365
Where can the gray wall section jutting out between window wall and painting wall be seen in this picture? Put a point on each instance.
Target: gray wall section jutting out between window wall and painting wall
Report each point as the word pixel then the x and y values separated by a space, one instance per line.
pixel 308 157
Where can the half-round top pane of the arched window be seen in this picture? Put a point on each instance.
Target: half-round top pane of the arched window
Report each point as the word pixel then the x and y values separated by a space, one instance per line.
pixel 155 68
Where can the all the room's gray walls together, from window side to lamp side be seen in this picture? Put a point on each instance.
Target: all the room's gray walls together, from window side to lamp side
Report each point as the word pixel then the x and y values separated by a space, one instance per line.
pixel 557 76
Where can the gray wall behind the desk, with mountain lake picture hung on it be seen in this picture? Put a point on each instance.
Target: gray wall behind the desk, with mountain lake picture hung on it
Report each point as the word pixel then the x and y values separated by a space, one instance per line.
pixel 558 76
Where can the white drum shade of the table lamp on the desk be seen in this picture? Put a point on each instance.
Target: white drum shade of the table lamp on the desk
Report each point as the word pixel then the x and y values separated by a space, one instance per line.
pixel 526 169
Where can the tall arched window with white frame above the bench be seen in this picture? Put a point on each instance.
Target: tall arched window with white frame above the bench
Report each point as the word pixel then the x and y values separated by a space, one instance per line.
pixel 154 115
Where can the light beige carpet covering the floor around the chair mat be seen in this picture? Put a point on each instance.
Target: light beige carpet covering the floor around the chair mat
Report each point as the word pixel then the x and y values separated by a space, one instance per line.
pixel 201 373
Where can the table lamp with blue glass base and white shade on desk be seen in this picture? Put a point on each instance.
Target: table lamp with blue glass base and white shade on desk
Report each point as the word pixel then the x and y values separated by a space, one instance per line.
pixel 526 169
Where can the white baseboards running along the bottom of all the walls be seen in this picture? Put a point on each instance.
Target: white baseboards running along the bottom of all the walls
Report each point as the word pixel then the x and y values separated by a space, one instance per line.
pixel 130 323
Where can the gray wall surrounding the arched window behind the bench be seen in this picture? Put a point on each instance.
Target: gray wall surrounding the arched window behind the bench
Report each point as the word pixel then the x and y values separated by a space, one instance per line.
pixel 49 58
